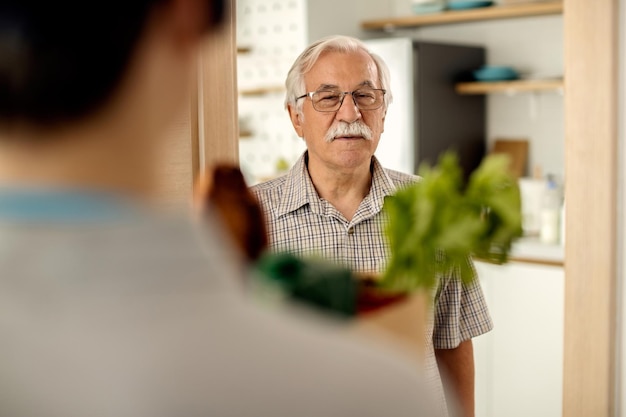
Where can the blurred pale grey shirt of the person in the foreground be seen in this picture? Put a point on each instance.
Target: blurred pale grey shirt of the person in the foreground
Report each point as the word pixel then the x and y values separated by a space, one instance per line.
pixel 137 316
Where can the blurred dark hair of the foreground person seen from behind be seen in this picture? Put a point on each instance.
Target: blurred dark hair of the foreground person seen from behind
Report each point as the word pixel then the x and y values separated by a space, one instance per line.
pixel 61 60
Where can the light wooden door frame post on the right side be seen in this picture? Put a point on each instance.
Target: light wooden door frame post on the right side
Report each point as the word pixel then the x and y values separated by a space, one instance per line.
pixel 591 132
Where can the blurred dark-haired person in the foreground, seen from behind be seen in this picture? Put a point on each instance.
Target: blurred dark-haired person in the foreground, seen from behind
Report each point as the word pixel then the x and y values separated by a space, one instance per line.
pixel 107 309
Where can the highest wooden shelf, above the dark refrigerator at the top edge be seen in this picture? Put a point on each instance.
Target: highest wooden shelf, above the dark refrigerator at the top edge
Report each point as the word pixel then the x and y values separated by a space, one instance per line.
pixel 471 15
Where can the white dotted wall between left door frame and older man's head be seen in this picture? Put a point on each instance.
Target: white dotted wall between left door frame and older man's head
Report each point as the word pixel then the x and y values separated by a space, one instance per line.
pixel 275 33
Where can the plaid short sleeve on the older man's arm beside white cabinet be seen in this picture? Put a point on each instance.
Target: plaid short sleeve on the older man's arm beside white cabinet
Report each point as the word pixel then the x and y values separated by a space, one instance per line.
pixel 461 312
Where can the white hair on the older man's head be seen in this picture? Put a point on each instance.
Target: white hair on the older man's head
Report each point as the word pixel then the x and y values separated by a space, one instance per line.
pixel 295 78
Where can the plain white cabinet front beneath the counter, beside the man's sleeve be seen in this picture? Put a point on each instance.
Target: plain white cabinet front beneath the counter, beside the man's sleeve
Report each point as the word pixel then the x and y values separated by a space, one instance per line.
pixel 519 365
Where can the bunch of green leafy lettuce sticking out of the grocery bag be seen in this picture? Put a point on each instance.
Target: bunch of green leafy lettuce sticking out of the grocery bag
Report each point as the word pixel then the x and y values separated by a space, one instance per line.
pixel 435 226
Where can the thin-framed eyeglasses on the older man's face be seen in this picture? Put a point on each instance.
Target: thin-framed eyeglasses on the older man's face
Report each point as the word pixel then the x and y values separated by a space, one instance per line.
pixel 331 100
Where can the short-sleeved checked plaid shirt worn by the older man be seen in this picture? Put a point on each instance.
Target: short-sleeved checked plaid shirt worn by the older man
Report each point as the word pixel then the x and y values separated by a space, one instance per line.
pixel 302 223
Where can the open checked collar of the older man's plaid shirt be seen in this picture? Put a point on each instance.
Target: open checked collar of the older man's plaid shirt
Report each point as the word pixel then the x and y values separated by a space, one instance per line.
pixel 299 190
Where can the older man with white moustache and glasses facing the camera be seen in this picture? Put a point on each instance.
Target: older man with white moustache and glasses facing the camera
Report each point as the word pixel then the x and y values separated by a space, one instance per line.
pixel 330 202
